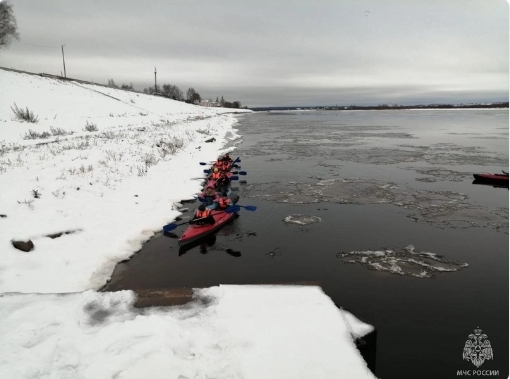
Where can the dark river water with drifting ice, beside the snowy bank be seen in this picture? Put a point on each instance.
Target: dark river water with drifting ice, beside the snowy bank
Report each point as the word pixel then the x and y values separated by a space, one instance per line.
pixel 361 187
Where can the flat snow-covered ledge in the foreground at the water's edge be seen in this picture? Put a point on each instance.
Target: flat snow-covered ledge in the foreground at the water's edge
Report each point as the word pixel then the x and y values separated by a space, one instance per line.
pixel 229 332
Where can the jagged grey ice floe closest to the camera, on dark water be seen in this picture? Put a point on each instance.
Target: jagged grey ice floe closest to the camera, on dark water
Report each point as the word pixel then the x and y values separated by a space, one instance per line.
pixel 405 262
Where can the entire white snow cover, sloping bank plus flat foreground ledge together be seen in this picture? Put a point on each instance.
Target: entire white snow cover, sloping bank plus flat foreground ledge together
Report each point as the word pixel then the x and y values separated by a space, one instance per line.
pixel 98 175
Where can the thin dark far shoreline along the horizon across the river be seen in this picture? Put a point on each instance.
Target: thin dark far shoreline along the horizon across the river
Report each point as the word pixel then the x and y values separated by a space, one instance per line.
pixel 388 107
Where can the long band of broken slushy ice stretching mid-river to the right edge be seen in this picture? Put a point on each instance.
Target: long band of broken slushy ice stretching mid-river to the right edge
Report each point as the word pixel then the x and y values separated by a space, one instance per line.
pixel 441 209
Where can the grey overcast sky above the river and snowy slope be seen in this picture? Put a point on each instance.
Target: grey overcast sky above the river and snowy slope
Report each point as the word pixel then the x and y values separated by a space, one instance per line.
pixel 277 53
